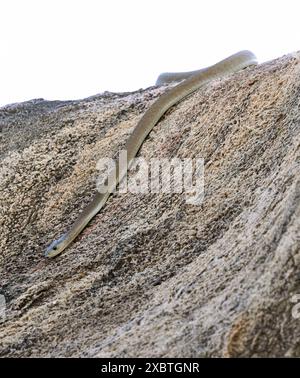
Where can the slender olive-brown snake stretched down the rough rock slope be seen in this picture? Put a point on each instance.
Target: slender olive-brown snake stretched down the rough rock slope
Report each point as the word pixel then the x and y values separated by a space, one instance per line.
pixel 189 82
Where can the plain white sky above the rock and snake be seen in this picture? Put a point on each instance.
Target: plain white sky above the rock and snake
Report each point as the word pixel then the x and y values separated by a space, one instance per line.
pixel 71 49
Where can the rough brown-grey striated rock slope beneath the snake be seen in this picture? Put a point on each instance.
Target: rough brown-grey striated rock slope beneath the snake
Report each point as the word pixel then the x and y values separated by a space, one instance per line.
pixel 153 276
